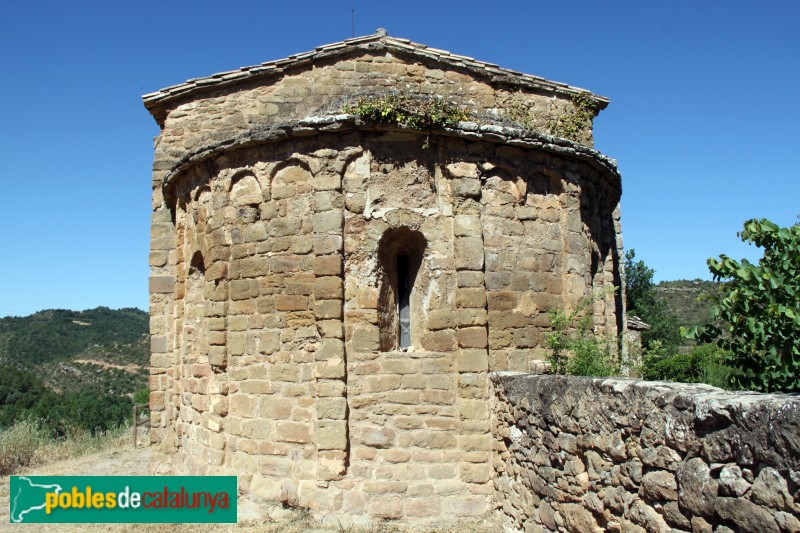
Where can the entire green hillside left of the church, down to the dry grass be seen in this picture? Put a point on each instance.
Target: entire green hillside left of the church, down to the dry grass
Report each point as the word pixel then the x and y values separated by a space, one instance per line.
pixel 72 372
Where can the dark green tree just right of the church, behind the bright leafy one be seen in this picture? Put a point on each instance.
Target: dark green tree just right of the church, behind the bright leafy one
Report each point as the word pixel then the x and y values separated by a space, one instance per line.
pixel 642 300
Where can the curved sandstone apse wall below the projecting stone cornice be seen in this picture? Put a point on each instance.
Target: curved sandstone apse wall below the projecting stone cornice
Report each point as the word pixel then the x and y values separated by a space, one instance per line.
pixel 271 299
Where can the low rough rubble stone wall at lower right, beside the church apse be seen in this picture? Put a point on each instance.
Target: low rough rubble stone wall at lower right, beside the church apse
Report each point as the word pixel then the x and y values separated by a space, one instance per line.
pixel 582 454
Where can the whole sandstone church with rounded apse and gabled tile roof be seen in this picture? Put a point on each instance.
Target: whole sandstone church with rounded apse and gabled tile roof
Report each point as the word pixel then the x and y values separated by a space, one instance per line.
pixel 329 295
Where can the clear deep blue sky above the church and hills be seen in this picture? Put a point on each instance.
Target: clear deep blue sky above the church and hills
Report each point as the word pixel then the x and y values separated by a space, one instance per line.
pixel 703 119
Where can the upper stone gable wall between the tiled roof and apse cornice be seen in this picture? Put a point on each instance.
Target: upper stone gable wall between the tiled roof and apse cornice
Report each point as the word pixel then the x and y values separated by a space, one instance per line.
pixel 188 125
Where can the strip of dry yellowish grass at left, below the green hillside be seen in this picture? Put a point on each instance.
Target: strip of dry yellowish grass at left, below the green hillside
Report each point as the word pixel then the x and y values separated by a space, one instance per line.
pixel 28 444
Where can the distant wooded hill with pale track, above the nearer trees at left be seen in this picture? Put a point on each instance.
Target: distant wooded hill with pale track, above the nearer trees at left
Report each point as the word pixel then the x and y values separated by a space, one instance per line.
pixel 101 349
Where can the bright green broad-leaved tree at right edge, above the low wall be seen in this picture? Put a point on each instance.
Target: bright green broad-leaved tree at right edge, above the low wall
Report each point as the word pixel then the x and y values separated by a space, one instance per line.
pixel 761 305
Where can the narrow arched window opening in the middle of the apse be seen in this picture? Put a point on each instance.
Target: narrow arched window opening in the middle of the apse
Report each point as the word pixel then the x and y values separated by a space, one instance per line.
pixel 400 253
